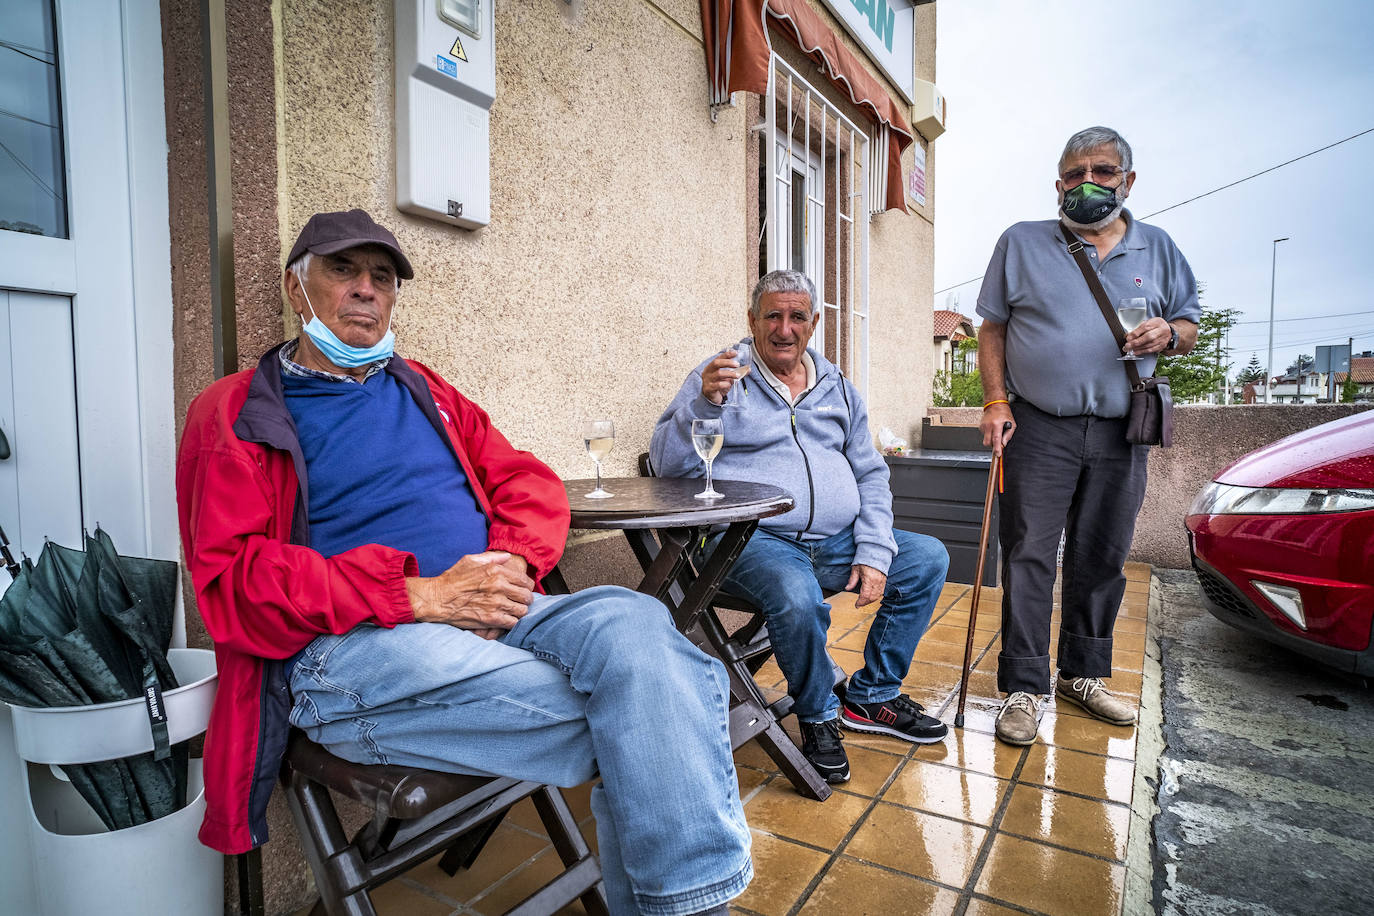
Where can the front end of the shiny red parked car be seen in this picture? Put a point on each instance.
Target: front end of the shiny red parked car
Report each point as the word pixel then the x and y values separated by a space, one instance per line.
pixel 1283 543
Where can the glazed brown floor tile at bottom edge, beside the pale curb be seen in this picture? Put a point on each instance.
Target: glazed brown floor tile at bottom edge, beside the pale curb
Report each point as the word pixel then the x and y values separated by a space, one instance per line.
pixel 1050 881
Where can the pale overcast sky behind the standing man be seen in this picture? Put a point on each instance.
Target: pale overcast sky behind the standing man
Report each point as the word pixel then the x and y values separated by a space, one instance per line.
pixel 1206 94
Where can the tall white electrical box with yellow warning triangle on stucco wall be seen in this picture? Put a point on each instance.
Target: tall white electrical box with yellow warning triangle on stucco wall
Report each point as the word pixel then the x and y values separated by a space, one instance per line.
pixel 446 83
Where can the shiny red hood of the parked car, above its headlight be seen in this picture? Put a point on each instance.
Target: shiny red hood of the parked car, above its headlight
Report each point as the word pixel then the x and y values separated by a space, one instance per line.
pixel 1336 454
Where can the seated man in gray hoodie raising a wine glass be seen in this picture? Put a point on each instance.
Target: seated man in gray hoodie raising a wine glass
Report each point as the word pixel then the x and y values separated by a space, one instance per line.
pixel 795 421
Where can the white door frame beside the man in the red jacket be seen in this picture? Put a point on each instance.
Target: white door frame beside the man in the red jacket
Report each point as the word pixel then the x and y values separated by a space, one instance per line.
pixel 116 267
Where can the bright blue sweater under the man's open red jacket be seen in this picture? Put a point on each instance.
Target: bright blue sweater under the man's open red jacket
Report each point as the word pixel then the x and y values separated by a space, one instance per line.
pixel 381 474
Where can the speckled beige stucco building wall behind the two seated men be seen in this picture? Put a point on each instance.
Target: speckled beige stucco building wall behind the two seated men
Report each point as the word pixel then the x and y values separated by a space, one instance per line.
pixel 616 257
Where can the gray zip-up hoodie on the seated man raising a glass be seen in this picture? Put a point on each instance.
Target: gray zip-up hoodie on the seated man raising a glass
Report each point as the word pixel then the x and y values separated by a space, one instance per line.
pixel 820 451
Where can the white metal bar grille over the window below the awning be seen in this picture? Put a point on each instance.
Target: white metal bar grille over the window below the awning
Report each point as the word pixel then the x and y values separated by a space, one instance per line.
pixel 817 220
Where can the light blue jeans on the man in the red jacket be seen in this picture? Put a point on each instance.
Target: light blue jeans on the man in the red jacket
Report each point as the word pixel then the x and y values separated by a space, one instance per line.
pixel 592 682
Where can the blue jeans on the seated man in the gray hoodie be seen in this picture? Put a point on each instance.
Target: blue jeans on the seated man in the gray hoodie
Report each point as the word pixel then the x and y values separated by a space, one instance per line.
pixel 785 579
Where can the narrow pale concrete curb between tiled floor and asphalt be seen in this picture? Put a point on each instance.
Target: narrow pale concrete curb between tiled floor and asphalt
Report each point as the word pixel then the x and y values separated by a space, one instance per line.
pixel 1138 899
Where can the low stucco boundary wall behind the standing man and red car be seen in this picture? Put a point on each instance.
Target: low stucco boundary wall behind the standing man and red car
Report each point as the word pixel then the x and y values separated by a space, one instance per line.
pixel 1206 440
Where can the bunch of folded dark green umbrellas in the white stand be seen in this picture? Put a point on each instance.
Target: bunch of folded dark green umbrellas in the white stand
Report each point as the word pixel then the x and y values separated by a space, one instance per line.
pixel 93 627
